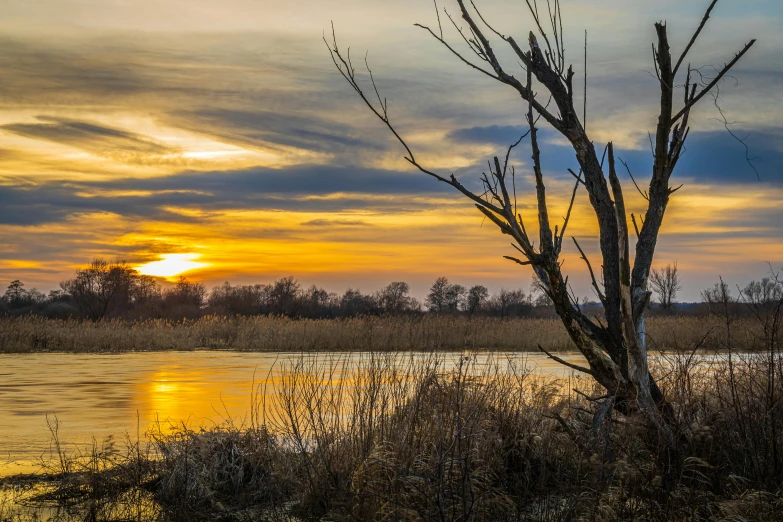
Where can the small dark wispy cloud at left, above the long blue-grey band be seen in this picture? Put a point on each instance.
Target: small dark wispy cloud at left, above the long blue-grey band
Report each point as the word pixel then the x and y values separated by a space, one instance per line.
pixel 98 139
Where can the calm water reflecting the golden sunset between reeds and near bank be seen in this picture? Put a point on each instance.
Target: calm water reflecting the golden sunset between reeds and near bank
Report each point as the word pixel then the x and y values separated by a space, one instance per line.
pixel 126 395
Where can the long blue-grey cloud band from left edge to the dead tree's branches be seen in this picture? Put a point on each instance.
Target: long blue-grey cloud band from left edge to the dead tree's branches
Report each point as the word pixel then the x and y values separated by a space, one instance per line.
pixel 304 188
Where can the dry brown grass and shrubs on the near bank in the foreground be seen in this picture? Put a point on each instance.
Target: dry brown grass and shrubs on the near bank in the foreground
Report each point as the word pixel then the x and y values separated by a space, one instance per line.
pixel 416 442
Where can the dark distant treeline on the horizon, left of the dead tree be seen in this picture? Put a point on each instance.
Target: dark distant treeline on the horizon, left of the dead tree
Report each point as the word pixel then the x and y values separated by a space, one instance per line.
pixel 116 290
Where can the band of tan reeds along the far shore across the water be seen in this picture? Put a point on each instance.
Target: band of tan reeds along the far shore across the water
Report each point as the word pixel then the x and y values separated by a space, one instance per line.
pixel 272 334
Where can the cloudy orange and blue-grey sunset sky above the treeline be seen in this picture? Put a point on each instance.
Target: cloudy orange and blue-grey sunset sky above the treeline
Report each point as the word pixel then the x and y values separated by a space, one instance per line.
pixel 215 139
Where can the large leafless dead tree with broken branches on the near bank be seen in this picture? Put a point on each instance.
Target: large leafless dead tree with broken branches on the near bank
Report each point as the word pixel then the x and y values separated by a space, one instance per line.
pixel 615 350
